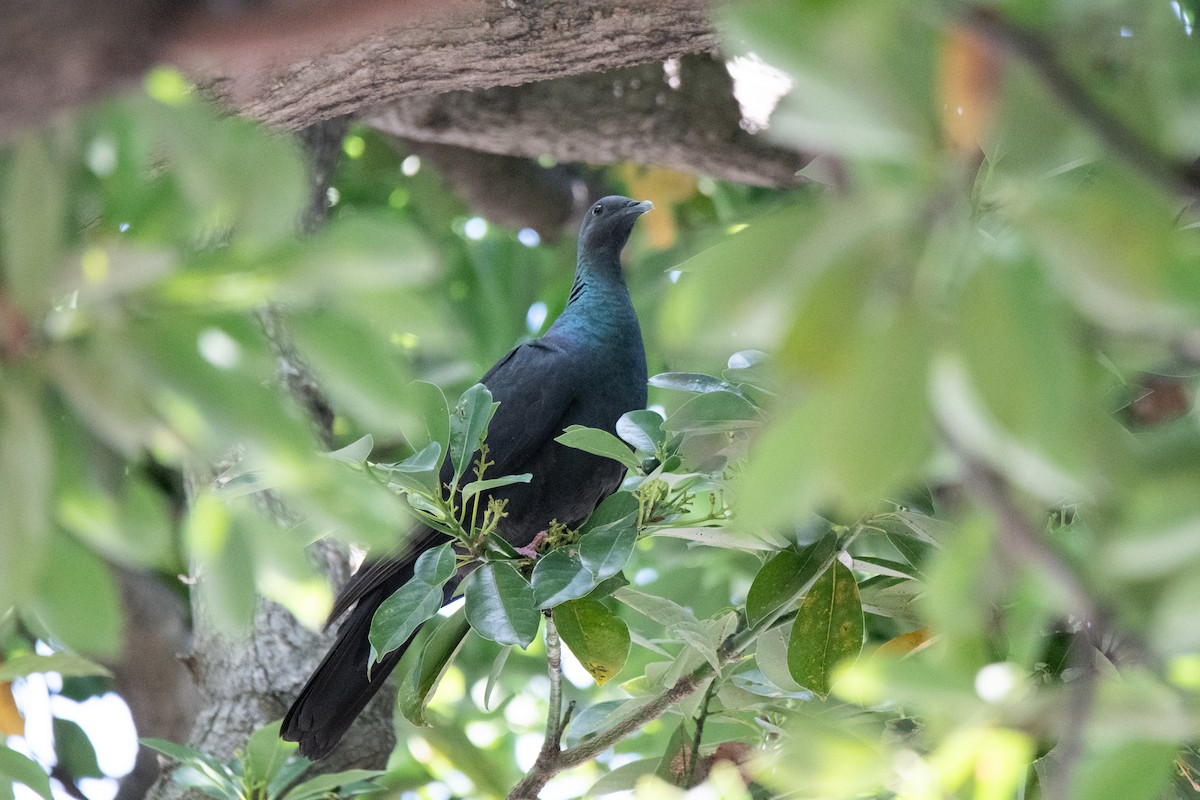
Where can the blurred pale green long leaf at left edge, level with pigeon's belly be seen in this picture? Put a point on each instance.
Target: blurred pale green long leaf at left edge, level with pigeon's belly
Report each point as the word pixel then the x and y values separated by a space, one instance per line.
pixel 27 461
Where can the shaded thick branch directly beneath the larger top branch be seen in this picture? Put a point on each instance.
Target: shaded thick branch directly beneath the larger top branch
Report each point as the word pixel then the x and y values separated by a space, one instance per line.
pixel 689 122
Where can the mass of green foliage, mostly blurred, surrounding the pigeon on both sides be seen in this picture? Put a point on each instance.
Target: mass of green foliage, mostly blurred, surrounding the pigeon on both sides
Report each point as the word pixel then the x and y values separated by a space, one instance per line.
pixel 941 543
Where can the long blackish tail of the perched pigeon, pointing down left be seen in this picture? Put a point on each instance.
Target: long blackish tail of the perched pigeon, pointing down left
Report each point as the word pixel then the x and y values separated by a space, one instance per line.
pixel 339 689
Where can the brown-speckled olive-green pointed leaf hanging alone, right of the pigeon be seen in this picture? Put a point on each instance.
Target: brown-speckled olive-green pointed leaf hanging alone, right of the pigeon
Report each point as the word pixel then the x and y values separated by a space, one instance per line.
pixel 829 629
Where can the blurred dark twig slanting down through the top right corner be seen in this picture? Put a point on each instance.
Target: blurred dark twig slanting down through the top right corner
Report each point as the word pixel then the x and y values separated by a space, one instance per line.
pixel 1036 51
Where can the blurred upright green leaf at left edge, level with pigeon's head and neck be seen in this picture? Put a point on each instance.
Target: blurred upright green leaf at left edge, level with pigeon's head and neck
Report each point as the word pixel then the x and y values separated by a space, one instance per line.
pixel 33 221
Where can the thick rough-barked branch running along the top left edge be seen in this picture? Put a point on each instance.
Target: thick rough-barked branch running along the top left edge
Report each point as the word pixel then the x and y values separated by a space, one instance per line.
pixel 295 63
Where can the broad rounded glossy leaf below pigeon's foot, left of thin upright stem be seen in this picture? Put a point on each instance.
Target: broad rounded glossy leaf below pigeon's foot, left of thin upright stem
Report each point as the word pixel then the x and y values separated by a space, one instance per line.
pixel 500 605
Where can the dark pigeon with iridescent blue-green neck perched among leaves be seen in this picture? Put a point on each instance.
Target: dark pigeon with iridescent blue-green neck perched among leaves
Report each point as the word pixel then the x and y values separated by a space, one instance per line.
pixel 589 370
